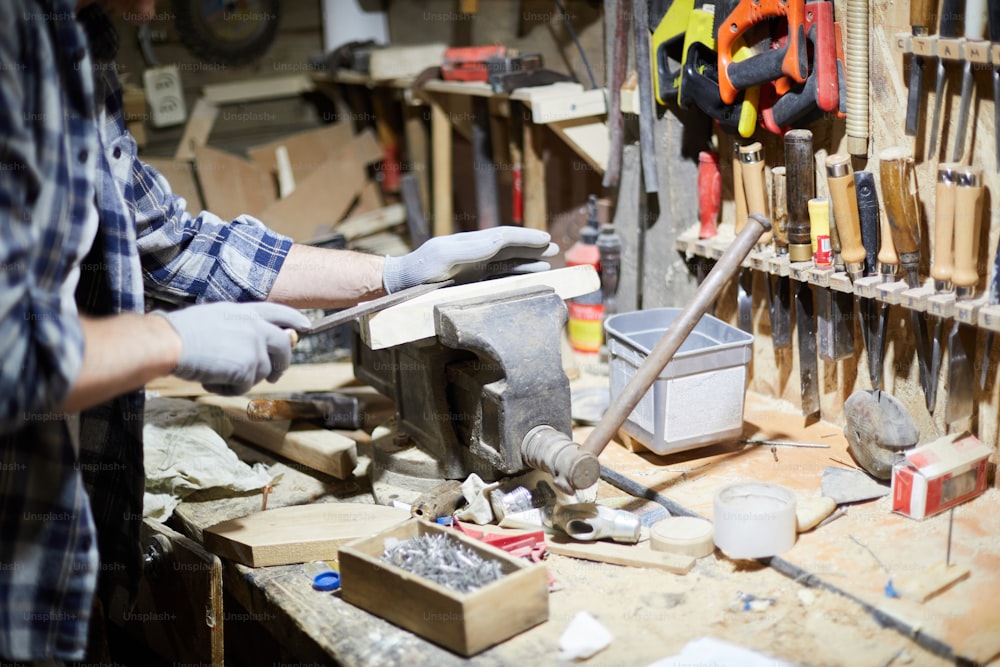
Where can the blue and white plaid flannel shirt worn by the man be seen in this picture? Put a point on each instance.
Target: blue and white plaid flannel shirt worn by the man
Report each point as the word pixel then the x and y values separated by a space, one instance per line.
pixel 63 150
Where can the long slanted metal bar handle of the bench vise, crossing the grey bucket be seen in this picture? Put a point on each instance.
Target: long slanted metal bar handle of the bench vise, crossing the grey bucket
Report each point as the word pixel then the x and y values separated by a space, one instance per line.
pixel 706 294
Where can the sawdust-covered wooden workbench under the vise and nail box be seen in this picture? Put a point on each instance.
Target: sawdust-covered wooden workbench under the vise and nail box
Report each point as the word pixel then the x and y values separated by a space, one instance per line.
pixel 821 600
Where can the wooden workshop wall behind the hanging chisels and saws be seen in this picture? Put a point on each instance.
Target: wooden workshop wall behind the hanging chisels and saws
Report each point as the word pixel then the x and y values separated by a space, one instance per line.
pixel 775 372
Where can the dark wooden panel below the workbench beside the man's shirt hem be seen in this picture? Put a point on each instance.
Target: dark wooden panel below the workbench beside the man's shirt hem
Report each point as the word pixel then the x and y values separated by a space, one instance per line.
pixel 179 613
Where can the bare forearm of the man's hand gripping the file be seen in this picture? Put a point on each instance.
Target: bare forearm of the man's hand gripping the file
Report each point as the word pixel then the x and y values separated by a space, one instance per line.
pixel 120 354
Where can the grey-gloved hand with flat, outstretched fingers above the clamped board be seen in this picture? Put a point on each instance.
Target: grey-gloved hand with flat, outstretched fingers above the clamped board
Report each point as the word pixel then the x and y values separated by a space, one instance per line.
pixel 470 256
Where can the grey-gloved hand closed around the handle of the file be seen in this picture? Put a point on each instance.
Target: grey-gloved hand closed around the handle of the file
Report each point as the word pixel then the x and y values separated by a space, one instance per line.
pixel 230 347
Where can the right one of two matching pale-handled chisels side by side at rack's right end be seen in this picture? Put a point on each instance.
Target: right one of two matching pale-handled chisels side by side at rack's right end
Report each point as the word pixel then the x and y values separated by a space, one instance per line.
pixel 968 211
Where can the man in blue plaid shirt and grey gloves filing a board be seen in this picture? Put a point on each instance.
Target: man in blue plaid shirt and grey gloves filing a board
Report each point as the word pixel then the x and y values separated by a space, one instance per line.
pixel 86 230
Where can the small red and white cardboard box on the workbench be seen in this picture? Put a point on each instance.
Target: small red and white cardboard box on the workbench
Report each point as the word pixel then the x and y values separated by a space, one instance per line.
pixel 939 475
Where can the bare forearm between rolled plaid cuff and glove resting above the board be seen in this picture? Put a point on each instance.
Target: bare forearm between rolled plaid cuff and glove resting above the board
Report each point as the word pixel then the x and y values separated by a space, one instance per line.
pixel 319 278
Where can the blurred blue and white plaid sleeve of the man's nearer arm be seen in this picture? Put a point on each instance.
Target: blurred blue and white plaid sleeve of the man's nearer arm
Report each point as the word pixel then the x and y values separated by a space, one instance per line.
pixel 41 341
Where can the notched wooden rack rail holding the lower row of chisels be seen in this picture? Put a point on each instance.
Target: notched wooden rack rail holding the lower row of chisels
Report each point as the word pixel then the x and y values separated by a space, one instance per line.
pixel 975 312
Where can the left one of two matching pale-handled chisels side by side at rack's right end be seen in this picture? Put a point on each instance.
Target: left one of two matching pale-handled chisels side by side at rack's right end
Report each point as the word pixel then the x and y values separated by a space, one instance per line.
pixel 943 261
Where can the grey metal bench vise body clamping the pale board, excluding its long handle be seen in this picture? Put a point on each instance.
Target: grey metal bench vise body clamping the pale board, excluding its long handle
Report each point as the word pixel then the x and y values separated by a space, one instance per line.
pixel 486 395
